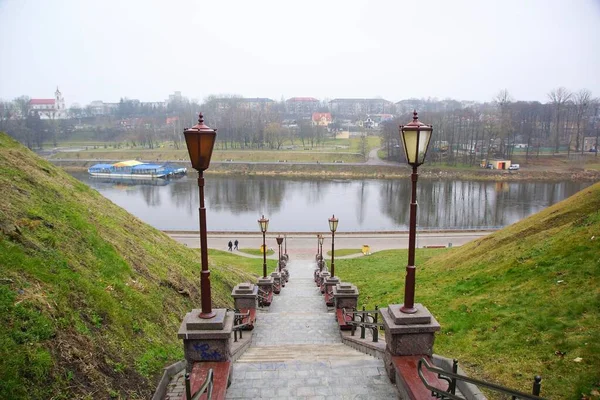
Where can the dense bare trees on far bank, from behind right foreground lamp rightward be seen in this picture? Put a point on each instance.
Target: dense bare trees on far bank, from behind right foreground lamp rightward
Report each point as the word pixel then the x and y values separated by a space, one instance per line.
pixel 496 129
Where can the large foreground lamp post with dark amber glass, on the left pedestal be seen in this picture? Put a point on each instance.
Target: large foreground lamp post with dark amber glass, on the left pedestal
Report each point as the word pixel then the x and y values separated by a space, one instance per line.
pixel 200 140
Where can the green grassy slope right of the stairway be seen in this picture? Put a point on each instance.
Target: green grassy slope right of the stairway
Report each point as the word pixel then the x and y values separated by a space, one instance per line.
pixel 508 302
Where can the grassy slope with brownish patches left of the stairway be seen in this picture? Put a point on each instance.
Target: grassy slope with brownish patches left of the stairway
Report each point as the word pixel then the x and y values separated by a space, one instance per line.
pixel 90 297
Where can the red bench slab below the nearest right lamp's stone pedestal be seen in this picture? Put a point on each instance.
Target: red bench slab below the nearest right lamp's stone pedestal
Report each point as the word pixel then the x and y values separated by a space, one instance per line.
pixel 408 381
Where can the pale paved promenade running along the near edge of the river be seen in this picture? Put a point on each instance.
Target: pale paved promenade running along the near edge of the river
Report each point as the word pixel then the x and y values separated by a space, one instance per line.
pixel 304 245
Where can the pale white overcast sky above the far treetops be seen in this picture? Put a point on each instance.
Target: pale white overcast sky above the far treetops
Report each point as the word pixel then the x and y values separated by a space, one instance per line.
pixel 467 50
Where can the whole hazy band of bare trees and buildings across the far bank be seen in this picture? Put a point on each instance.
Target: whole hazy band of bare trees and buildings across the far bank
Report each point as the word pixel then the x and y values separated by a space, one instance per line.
pixel 462 133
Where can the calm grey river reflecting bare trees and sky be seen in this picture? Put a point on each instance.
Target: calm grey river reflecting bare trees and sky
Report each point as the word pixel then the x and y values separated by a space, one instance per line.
pixel 303 205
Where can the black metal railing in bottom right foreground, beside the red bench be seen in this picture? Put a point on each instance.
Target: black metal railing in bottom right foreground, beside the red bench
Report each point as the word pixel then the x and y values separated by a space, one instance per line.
pixel 453 378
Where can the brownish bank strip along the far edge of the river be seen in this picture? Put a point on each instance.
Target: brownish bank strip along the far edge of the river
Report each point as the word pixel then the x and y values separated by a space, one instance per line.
pixel 362 171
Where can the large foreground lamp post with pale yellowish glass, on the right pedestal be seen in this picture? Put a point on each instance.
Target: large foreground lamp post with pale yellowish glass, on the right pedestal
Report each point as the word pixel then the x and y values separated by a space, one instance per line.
pixel 415 136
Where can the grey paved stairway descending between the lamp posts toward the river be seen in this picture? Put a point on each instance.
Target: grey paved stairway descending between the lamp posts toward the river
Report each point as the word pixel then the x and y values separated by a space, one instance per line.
pixel 297 353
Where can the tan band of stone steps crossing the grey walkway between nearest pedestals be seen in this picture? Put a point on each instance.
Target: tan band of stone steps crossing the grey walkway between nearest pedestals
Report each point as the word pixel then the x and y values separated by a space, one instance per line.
pixel 302 352
